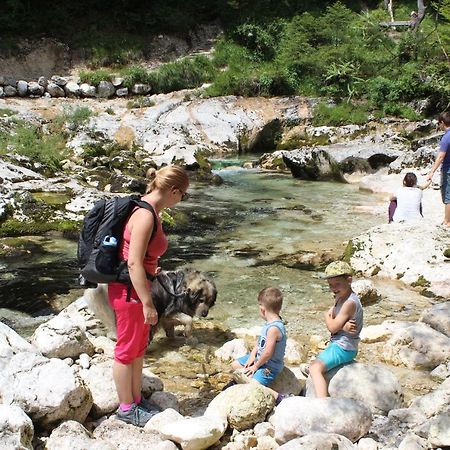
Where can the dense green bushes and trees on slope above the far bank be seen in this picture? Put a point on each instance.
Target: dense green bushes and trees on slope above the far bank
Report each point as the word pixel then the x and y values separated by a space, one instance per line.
pixel 270 48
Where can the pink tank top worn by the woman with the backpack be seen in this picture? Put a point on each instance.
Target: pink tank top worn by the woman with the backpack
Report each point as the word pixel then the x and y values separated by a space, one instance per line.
pixel 156 247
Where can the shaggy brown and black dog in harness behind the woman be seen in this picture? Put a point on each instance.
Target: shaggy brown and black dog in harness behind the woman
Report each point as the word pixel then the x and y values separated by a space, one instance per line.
pixel 178 296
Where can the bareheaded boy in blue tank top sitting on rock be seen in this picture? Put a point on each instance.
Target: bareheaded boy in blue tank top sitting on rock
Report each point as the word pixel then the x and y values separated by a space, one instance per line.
pixel 265 362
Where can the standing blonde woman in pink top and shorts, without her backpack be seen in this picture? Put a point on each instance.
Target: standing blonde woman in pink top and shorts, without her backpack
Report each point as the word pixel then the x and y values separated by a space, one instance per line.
pixel 133 305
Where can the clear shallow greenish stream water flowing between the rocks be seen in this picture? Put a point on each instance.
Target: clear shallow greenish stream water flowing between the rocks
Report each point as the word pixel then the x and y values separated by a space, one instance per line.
pixel 243 233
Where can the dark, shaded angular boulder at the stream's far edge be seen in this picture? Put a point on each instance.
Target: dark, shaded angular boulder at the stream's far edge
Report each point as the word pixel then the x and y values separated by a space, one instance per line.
pixel 312 164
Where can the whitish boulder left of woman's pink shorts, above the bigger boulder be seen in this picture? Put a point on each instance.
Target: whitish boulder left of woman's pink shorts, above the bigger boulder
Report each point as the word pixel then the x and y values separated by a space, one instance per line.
pixel 61 338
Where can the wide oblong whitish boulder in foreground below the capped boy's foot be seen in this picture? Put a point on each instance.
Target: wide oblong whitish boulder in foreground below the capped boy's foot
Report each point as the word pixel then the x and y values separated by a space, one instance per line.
pixel 299 416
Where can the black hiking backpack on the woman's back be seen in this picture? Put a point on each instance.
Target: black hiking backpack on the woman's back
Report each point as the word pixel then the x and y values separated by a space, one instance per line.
pixel 98 257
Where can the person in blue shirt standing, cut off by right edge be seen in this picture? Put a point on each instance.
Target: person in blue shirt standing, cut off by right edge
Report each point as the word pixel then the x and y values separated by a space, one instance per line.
pixel 443 160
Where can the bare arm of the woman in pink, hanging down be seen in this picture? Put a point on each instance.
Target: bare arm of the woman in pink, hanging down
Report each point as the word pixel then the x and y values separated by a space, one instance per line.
pixel 141 226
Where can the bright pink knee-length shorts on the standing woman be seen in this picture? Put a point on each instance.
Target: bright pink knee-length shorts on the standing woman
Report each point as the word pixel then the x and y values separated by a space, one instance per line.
pixel 132 333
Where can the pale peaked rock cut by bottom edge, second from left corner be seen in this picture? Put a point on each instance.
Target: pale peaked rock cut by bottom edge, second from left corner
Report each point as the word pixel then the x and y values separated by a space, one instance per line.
pixel 72 435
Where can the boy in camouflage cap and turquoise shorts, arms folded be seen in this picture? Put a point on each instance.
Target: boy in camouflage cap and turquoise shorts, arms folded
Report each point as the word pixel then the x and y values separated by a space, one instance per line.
pixel 344 320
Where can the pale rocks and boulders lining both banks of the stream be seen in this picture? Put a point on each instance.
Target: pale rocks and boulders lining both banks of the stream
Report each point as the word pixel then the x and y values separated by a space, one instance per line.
pixel 380 411
